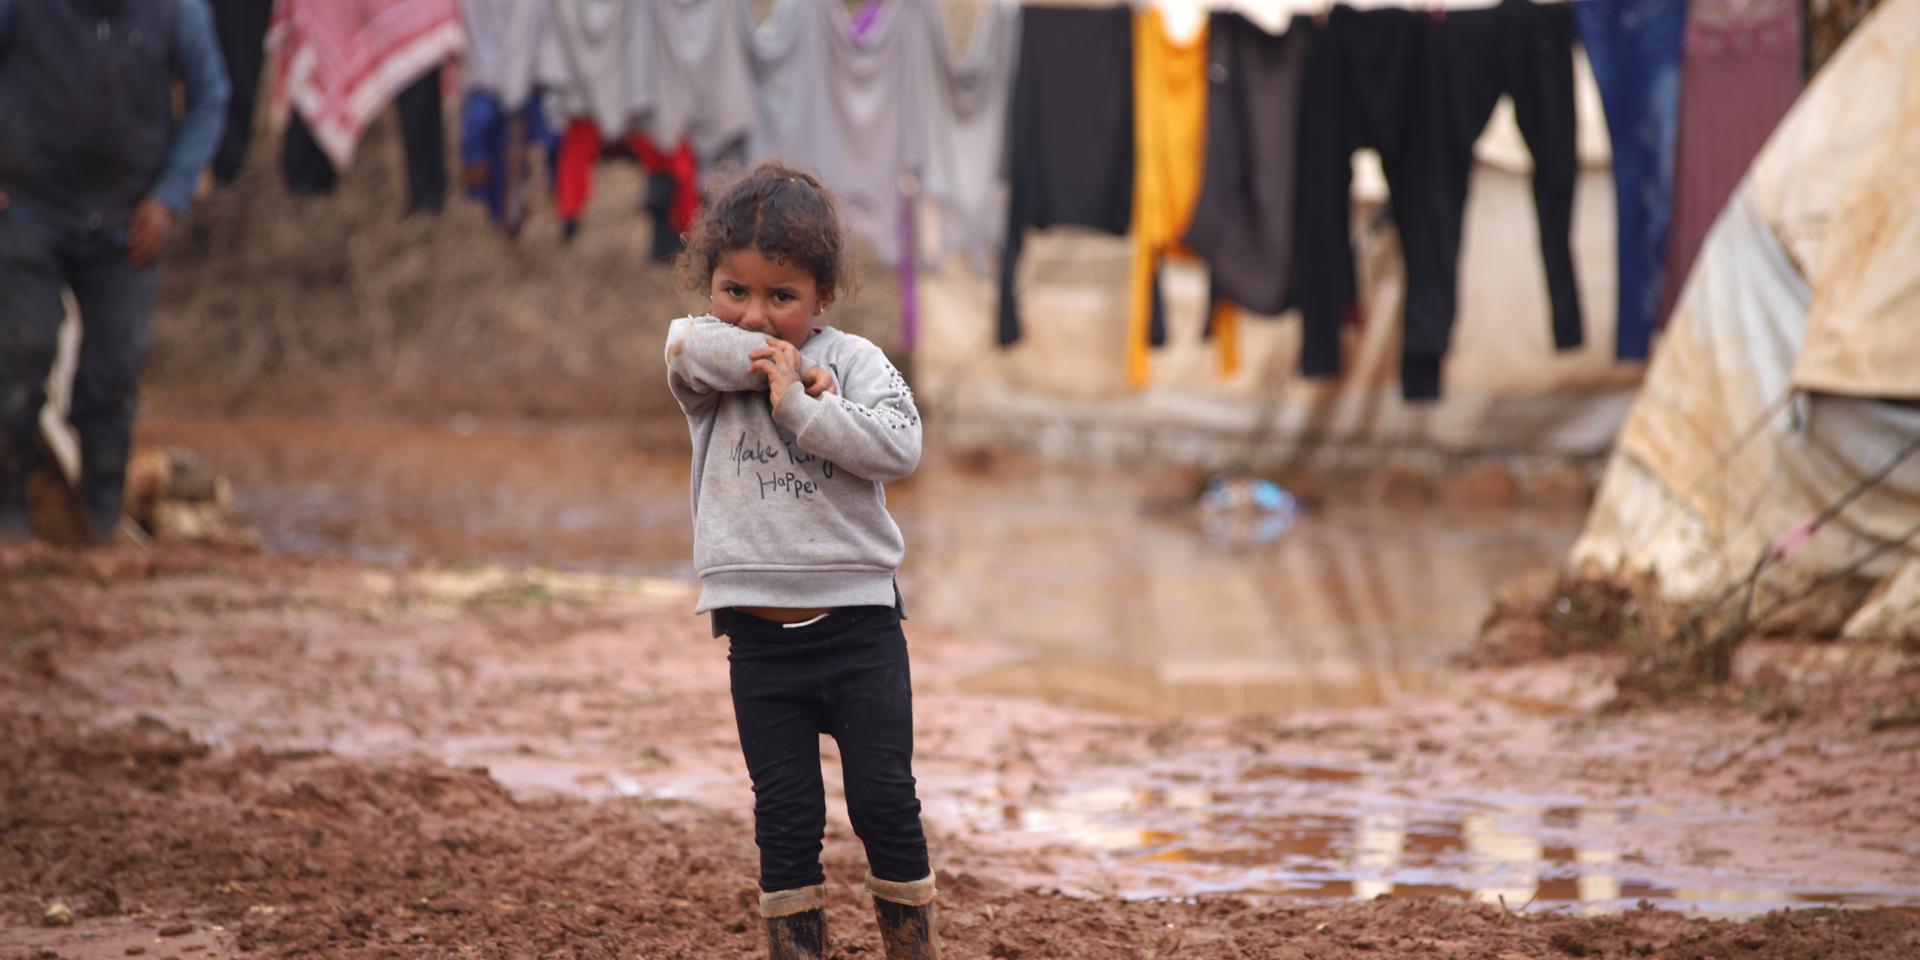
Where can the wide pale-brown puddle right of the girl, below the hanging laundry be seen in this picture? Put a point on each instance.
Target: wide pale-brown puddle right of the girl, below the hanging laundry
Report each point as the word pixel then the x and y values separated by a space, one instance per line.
pixel 1134 610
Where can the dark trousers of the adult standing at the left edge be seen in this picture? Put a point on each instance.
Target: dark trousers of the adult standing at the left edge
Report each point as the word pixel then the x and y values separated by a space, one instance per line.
pixel 116 300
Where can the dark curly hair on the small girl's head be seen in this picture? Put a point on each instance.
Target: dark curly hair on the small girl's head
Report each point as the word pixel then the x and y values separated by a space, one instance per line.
pixel 779 210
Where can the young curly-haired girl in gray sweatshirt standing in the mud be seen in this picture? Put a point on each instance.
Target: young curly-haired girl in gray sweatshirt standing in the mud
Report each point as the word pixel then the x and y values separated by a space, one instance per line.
pixel 796 427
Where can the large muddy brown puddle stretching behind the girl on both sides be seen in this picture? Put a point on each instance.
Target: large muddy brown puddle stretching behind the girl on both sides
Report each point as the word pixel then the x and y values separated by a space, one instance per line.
pixel 1105 579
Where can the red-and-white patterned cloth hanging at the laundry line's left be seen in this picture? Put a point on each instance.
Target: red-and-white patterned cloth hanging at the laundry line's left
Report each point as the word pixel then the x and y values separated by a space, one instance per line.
pixel 343 62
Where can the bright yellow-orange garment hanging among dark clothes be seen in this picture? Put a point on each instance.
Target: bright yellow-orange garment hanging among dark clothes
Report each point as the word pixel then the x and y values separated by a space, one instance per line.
pixel 1170 85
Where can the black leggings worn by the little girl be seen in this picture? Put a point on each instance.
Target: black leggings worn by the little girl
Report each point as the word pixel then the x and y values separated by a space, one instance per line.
pixel 844 677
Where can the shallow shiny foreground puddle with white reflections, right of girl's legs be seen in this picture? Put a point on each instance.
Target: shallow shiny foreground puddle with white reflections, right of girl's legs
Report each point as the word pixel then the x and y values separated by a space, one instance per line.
pixel 1522 855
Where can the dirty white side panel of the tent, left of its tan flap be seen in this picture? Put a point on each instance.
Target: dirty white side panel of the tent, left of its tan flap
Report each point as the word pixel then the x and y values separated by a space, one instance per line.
pixel 1721 460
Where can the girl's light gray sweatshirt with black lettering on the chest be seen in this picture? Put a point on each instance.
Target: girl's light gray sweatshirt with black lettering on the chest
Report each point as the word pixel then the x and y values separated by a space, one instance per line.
pixel 788 508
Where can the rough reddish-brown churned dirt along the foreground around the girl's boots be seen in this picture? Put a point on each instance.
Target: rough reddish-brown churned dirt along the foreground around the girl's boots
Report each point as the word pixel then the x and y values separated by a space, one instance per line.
pixel 299 855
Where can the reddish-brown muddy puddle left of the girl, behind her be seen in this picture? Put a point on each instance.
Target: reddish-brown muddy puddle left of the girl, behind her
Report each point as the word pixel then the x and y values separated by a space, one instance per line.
pixel 531 494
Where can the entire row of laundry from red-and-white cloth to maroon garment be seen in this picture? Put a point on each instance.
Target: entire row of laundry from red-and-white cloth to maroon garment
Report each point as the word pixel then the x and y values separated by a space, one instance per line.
pixel 898 122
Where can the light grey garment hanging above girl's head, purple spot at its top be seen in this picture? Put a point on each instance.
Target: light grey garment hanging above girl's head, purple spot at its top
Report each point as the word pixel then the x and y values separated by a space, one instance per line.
pixel 844 108
